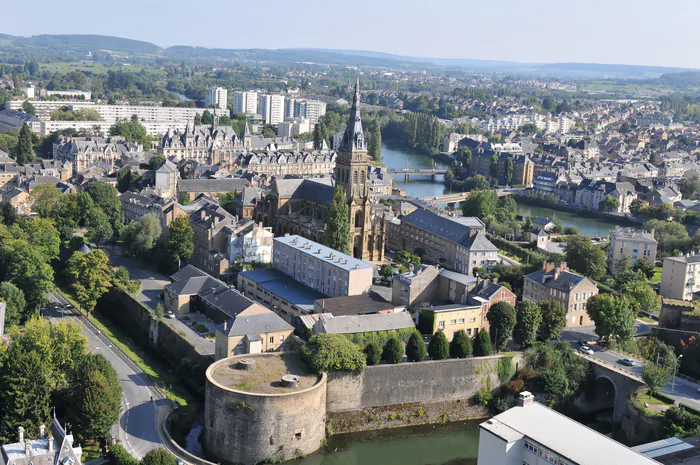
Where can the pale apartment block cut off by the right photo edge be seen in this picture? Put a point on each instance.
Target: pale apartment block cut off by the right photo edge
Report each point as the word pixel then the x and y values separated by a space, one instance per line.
pixel 680 276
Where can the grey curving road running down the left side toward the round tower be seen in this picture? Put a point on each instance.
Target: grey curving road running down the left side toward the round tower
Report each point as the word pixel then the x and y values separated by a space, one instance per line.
pixel 138 430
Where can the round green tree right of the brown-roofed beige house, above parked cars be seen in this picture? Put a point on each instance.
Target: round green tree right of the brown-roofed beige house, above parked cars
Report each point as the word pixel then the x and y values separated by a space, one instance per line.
pixel 613 316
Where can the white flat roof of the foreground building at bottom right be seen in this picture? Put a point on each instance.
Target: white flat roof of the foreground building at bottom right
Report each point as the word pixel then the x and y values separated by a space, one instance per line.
pixel 564 436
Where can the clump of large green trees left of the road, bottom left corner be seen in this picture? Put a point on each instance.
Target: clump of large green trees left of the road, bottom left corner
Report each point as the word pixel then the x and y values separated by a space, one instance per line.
pixel 48 365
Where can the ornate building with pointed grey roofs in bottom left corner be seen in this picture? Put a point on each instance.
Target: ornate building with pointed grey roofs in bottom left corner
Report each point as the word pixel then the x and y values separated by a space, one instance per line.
pixel 53 446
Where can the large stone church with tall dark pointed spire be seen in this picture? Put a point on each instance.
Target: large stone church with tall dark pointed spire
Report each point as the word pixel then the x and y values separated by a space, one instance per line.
pixel 301 206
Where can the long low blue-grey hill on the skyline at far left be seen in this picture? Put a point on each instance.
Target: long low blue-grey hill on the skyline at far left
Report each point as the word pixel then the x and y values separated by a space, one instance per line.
pixel 79 42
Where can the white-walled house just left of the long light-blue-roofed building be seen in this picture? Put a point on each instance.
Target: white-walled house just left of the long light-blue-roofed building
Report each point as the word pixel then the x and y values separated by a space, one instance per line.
pixel 250 242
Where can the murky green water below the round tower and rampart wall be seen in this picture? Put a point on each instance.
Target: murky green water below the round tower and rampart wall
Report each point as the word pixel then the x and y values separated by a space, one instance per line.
pixel 454 444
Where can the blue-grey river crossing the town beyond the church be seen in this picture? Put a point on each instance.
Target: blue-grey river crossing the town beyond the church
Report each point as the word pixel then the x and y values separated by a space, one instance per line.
pixel 396 157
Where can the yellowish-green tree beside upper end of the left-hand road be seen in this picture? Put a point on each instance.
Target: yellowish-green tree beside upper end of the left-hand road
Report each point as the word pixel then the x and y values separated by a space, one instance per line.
pixel 89 275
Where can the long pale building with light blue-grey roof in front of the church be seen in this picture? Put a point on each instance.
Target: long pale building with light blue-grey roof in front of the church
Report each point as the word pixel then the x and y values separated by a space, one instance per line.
pixel 321 268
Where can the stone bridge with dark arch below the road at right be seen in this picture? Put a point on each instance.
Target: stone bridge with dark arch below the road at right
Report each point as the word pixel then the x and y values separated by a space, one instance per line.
pixel 613 387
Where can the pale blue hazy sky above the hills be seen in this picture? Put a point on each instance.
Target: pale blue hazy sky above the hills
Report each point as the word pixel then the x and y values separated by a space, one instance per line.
pixel 640 32
